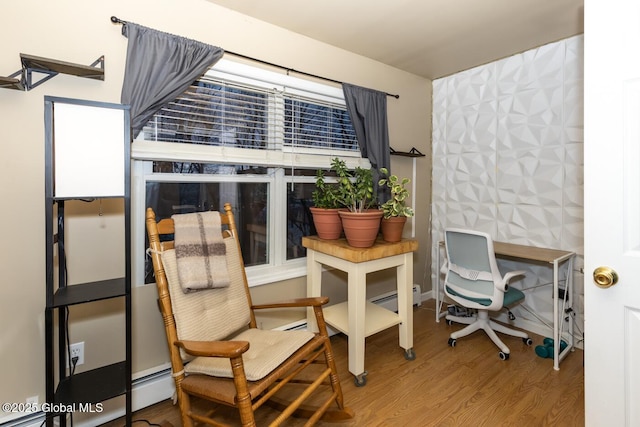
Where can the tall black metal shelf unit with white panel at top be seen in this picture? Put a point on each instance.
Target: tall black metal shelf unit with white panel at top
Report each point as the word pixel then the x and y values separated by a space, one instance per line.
pixel 66 389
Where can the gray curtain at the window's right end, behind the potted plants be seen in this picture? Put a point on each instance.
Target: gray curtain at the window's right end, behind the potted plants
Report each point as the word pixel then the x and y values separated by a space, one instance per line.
pixel 368 112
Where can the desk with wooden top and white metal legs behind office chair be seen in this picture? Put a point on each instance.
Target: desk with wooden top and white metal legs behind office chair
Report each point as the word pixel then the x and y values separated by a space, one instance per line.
pixel 535 254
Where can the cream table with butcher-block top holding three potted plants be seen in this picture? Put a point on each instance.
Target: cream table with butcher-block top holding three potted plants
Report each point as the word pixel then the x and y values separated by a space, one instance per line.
pixel 357 318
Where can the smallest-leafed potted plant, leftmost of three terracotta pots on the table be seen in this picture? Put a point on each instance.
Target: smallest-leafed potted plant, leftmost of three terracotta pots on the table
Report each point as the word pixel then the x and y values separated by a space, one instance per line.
pixel 325 208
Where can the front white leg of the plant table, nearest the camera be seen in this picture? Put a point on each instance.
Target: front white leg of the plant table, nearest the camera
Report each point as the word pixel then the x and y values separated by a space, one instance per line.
pixel 356 295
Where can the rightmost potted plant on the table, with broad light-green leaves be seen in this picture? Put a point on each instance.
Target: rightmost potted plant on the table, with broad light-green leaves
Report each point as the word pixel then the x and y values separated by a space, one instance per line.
pixel 395 210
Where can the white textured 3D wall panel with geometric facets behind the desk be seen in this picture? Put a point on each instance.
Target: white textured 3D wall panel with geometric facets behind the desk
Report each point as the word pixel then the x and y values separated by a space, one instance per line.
pixel 507 156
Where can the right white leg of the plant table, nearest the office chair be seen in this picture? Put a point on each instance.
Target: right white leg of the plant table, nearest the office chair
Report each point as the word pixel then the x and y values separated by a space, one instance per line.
pixel 404 281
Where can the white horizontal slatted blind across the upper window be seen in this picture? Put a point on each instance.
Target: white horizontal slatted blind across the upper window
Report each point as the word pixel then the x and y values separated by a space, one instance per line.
pixel 220 113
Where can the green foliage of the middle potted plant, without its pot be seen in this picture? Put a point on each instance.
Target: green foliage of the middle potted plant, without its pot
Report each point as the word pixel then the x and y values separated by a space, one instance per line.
pixel 355 188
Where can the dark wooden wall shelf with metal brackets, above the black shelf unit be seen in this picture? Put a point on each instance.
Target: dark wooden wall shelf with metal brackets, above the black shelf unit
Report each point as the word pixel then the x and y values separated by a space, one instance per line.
pixel 46 68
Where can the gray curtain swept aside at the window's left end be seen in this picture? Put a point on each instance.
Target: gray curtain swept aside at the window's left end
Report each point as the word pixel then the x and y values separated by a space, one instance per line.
pixel 159 68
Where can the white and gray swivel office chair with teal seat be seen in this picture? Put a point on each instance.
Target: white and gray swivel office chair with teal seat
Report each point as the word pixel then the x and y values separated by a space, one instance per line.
pixel 474 281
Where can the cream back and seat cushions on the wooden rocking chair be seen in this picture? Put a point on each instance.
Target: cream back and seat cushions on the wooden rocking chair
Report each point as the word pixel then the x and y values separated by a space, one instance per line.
pixel 219 314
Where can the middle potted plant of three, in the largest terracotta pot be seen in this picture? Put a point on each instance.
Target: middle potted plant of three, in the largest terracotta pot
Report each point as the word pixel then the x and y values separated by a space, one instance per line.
pixel 360 222
